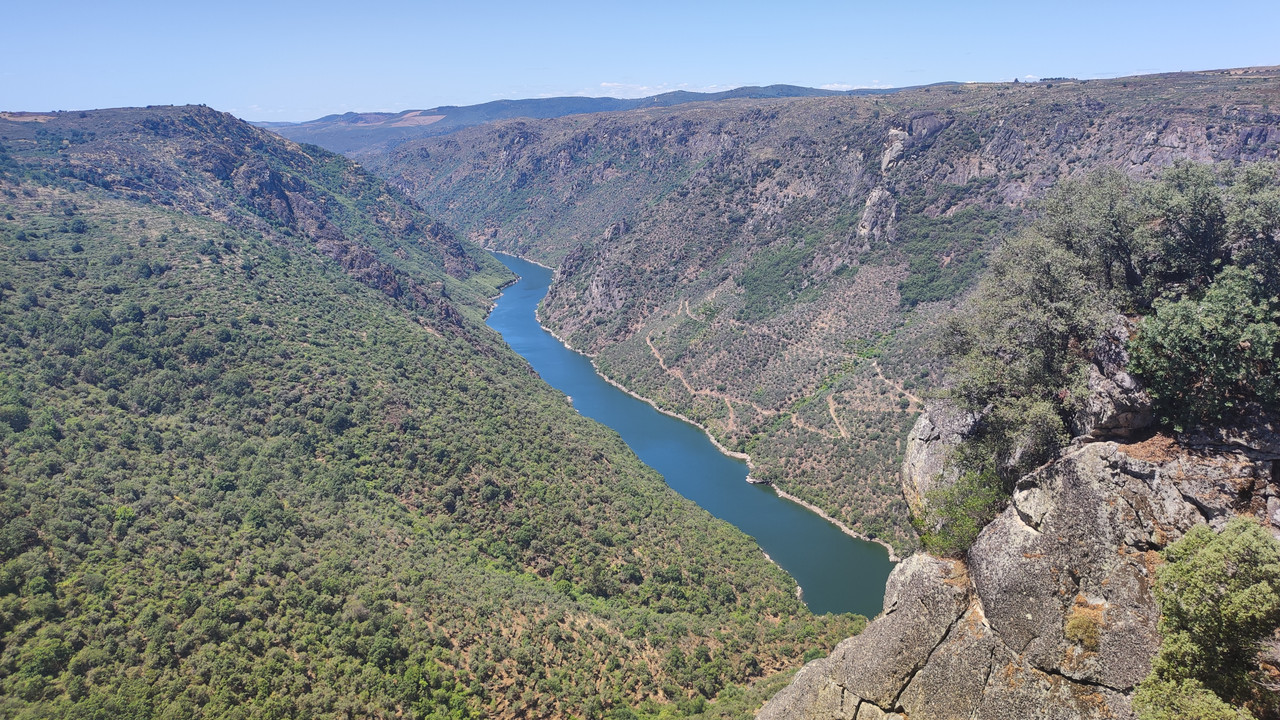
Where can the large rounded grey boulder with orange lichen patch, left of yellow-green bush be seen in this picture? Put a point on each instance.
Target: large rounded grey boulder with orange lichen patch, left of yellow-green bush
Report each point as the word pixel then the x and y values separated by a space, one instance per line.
pixel 1076 548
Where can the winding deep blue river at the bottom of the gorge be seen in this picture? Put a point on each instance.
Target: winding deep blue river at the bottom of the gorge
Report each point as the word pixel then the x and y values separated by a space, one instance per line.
pixel 838 573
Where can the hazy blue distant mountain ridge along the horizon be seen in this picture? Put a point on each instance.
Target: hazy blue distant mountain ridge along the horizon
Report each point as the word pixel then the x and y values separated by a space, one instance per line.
pixel 363 134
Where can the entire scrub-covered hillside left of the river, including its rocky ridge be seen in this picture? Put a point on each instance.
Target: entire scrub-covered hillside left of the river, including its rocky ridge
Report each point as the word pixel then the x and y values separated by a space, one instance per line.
pixel 260 458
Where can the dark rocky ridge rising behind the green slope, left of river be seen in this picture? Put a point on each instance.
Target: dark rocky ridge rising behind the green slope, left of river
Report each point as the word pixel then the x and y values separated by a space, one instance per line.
pixel 200 162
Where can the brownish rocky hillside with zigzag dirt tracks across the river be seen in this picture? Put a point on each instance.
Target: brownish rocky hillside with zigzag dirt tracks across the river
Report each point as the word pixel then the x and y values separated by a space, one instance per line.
pixel 775 268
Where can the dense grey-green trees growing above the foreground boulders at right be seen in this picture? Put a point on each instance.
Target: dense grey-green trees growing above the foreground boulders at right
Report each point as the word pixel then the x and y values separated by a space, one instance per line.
pixel 1192 256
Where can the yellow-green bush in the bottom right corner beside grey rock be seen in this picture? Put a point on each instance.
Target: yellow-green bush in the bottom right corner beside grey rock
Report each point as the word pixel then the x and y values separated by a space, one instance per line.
pixel 1219 596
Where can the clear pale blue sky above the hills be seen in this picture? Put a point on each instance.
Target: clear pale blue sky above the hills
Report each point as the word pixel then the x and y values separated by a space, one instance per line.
pixel 301 61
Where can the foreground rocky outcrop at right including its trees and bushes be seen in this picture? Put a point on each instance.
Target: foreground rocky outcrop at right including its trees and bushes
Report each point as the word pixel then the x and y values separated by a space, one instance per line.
pixel 1101 486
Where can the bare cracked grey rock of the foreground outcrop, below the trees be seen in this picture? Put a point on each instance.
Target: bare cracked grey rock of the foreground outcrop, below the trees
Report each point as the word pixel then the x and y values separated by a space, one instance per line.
pixel 1053 616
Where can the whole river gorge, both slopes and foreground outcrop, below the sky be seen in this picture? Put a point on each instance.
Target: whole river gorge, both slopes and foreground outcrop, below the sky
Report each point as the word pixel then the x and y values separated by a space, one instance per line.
pixel 286 434
